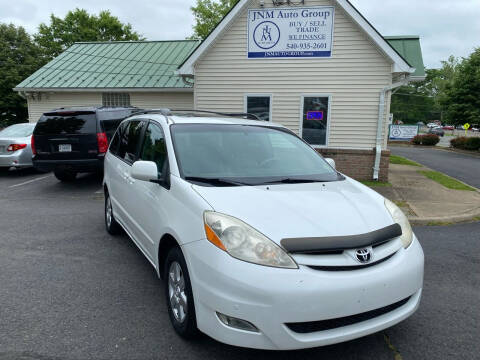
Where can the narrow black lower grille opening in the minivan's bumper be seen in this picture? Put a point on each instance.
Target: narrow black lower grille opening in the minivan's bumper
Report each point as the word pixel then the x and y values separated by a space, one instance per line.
pixel 322 325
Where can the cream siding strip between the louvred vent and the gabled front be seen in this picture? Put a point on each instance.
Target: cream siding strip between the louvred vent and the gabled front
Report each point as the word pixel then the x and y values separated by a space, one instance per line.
pixel 171 100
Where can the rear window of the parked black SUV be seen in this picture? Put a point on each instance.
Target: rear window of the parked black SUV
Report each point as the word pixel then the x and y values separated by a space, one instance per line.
pixel 66 124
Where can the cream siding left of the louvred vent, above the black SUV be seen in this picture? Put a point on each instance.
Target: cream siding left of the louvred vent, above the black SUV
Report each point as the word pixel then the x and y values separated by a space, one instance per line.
pixel 48 101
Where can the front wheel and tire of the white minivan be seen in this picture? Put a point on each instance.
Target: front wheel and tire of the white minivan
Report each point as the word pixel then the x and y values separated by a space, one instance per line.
pixel 176 294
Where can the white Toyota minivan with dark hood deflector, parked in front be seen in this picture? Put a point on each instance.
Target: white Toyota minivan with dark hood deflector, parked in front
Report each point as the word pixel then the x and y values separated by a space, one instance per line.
pixel 260 241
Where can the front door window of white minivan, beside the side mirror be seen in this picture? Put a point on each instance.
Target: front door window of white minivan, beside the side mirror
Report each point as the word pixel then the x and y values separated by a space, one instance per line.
pixel 154 147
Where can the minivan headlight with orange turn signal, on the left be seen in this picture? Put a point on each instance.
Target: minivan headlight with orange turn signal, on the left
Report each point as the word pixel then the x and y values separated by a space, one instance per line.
pixel 244 242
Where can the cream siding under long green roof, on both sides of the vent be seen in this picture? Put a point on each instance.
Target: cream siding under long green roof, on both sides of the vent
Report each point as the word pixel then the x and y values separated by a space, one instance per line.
pixel 38 104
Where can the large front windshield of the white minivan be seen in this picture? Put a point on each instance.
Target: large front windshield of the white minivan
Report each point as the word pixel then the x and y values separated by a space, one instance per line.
pixel 224 154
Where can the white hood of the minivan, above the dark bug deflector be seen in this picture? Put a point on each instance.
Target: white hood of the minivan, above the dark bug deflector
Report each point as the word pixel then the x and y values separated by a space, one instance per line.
pixel 302 210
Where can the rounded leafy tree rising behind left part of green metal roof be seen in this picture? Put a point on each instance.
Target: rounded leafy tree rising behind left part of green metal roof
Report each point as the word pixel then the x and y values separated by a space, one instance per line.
pixel 79 25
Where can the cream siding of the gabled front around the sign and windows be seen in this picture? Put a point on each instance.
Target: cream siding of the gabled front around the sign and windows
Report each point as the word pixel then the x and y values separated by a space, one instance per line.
pixel 353 76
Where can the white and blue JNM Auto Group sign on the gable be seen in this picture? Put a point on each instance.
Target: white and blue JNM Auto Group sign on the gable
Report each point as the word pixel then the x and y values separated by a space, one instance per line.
pixel 290 32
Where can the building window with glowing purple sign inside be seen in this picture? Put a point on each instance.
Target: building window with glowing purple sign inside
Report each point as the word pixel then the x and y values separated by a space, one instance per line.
pixel 315 119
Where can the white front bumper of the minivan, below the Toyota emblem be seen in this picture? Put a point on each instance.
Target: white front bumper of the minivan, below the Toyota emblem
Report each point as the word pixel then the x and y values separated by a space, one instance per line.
pixel 273 298
